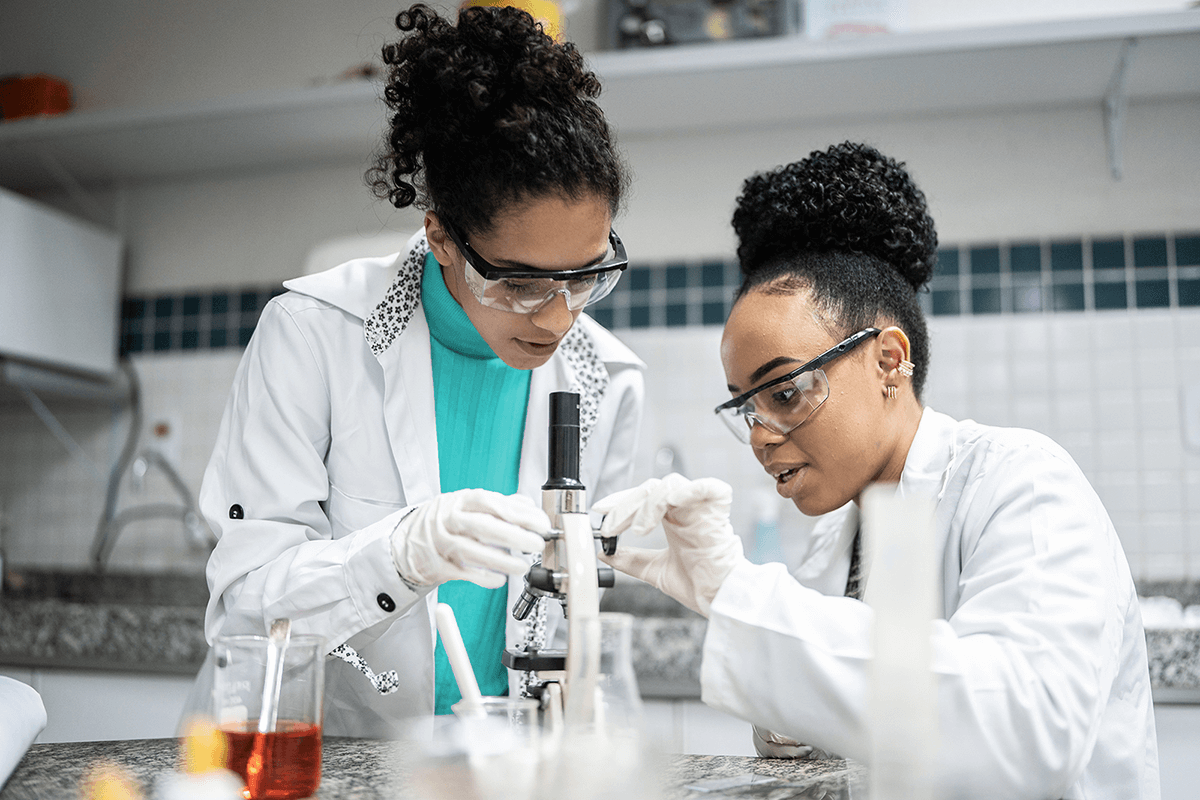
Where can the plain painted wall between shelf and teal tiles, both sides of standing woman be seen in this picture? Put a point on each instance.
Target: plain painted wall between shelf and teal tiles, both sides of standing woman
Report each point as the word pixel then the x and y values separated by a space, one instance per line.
pixel 1024 173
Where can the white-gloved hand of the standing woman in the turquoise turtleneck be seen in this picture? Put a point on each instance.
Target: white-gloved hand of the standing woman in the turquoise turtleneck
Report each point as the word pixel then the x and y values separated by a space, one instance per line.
pixel 466 536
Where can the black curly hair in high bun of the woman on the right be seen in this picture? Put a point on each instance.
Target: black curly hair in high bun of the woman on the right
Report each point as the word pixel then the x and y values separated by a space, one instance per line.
pixel 849 226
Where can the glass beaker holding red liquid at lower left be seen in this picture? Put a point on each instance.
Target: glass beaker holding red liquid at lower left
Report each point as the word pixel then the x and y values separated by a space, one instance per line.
pixel 291 755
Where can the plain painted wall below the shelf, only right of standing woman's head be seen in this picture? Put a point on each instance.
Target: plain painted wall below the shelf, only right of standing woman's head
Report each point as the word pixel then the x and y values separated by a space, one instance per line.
pixel 1000 176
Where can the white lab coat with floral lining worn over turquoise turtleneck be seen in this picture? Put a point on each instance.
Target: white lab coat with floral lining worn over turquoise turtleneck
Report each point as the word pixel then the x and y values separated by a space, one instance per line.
pixel 323 447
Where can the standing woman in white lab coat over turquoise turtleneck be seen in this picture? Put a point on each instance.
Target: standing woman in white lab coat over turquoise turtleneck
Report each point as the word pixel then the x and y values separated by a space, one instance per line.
pixel 385 443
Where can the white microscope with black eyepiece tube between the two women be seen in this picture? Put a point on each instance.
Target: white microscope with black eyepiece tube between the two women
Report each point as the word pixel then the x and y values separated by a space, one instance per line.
pixel 566 681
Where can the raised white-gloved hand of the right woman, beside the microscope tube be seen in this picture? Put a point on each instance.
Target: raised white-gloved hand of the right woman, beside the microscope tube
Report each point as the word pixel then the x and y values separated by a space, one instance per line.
pixel 703 549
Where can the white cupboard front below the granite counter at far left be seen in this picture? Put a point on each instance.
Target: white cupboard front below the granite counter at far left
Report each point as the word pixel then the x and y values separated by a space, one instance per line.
pixel 87 706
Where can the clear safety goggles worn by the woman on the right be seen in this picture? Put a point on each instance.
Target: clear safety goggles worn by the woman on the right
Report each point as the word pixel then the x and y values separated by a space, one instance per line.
pixel 784 404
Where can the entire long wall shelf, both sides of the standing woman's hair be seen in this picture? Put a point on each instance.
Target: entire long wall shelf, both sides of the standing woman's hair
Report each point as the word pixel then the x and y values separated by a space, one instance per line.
pixel 647 93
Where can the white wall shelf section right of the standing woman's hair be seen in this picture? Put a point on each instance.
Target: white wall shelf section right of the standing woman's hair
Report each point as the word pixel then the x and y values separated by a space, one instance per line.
pixel 796 81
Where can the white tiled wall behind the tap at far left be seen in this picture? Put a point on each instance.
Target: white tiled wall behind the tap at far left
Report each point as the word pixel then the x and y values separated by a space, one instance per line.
pixel 51 501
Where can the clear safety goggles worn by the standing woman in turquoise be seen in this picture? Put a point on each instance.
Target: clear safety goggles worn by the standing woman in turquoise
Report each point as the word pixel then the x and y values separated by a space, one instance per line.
pixel 525 292
